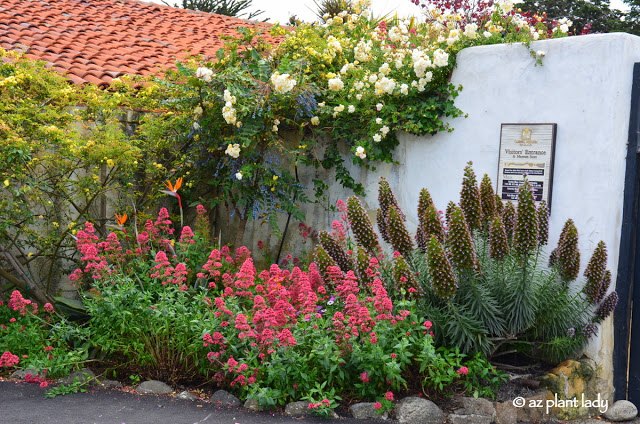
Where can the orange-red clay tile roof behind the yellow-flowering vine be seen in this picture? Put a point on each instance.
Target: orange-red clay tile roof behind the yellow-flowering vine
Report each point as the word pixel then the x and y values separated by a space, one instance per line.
pixel 94 41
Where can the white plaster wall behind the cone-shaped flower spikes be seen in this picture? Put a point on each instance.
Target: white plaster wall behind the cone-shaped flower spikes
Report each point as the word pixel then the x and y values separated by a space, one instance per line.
pixel 584 86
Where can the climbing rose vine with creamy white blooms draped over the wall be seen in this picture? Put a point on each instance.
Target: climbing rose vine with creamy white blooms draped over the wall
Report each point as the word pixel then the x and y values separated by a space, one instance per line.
pixel 328 96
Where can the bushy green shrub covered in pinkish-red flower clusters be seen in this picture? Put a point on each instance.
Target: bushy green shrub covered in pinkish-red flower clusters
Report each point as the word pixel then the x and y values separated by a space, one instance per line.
pixel 257 333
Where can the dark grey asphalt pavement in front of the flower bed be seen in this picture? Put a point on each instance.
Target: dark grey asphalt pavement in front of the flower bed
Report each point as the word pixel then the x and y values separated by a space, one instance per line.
pixel 24 403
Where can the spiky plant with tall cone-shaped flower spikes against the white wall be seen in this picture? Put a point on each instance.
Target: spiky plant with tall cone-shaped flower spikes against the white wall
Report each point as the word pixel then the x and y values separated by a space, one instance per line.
pixel 479 271
